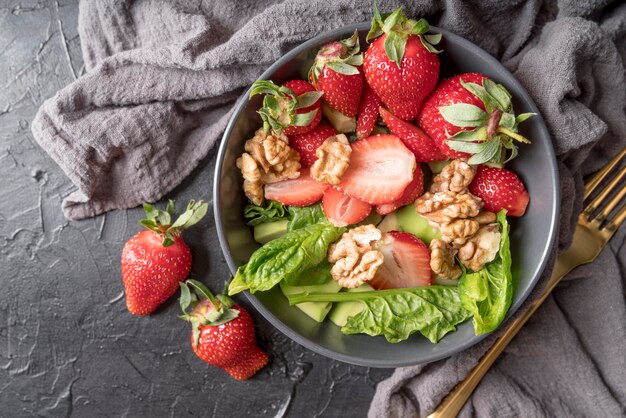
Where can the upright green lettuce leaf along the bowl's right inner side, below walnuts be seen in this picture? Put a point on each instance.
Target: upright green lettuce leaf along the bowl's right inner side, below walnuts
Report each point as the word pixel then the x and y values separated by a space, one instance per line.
pixel 487 293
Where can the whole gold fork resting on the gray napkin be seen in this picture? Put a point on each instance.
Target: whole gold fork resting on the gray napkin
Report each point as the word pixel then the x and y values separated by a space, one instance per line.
pixel 590 237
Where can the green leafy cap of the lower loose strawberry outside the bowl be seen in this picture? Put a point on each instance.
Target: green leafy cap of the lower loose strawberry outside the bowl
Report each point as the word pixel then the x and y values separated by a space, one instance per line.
pixel 207 309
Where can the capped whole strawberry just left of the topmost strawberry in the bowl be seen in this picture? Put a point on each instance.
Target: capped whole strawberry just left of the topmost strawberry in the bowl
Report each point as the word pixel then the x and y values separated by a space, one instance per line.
pixel 337 73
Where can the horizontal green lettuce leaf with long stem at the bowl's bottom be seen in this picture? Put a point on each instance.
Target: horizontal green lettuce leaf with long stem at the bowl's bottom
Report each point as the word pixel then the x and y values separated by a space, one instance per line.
pixel 396 314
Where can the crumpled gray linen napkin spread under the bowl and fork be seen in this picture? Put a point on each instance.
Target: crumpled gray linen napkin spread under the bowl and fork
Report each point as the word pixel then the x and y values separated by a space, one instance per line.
pixel 162 76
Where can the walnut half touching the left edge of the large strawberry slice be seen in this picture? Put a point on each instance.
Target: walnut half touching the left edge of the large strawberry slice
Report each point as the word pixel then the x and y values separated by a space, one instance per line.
pixel 333 159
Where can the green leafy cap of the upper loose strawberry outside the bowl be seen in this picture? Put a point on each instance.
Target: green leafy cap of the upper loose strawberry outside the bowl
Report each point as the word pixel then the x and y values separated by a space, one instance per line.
pixel 160 221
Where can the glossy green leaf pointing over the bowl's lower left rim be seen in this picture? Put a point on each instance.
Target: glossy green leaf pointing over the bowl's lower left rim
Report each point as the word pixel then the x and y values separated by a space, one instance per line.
pixel 285 258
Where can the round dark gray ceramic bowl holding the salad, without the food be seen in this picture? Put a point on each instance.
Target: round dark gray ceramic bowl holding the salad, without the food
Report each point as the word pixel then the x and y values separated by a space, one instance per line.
pixel 531 239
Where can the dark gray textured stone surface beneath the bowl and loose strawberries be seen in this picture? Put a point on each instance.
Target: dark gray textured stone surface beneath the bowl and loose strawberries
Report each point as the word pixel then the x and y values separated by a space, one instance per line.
pixel 68 346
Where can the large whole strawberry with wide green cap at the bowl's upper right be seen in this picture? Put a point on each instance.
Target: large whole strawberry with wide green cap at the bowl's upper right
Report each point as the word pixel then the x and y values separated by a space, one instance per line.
pixel 470 116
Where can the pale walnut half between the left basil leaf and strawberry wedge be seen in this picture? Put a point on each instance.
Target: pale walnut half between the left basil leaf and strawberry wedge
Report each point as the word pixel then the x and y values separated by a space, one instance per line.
pixel 355 260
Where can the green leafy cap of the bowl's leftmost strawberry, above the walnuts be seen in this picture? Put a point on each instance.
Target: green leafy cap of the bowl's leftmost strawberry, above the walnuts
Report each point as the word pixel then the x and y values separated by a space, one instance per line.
pixel 280 104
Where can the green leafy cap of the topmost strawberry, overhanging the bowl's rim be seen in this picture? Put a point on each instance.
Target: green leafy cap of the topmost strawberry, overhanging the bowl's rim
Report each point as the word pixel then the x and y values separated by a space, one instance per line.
pixel 398 28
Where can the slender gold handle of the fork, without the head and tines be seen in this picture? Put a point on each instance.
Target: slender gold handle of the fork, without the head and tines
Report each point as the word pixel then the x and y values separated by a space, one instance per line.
pixel 452 404
